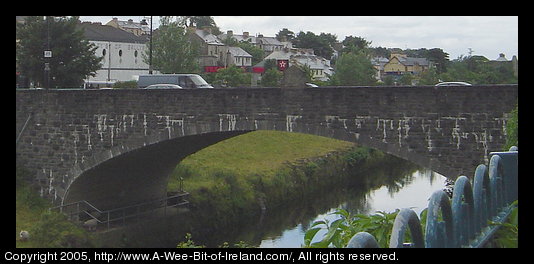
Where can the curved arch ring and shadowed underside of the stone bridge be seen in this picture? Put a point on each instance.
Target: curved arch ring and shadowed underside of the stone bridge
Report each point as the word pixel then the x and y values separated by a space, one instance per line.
pixel 142 174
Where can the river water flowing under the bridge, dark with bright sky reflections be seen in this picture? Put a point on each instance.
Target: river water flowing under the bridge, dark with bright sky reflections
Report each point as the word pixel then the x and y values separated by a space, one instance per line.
pixel 387 188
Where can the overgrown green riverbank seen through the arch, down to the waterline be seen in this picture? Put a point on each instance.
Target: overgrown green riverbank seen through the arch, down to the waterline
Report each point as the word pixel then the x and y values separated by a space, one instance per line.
pixel 265 171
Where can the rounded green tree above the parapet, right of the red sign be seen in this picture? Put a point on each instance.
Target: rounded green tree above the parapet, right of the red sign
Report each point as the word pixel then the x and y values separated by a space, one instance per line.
pixel 354 69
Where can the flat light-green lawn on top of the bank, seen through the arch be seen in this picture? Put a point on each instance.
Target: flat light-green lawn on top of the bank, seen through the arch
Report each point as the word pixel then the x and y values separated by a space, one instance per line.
pixel 258 152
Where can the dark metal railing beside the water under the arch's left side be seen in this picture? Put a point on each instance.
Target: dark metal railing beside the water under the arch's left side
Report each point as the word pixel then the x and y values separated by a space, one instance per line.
pixel 82 211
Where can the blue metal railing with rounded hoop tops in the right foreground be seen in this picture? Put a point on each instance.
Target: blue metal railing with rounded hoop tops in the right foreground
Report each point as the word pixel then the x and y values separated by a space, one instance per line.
pixel 464 223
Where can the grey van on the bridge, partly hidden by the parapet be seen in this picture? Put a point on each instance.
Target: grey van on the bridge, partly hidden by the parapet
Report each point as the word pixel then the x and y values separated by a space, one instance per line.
pixel 182 80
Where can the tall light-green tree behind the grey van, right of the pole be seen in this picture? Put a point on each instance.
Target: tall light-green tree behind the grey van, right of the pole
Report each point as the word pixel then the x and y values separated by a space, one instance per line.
pixel 172 50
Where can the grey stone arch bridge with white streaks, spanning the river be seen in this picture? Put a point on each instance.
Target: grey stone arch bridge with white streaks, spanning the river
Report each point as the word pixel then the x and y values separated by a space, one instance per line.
pixel 117 147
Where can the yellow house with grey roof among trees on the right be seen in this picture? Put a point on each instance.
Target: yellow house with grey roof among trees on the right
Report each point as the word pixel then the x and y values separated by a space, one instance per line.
pixel 400 64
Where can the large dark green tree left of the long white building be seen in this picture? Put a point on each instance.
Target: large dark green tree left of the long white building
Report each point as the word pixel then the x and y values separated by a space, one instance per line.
pixel 73 57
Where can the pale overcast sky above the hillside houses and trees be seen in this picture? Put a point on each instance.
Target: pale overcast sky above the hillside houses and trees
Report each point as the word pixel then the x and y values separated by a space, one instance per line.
pixel 485 35
